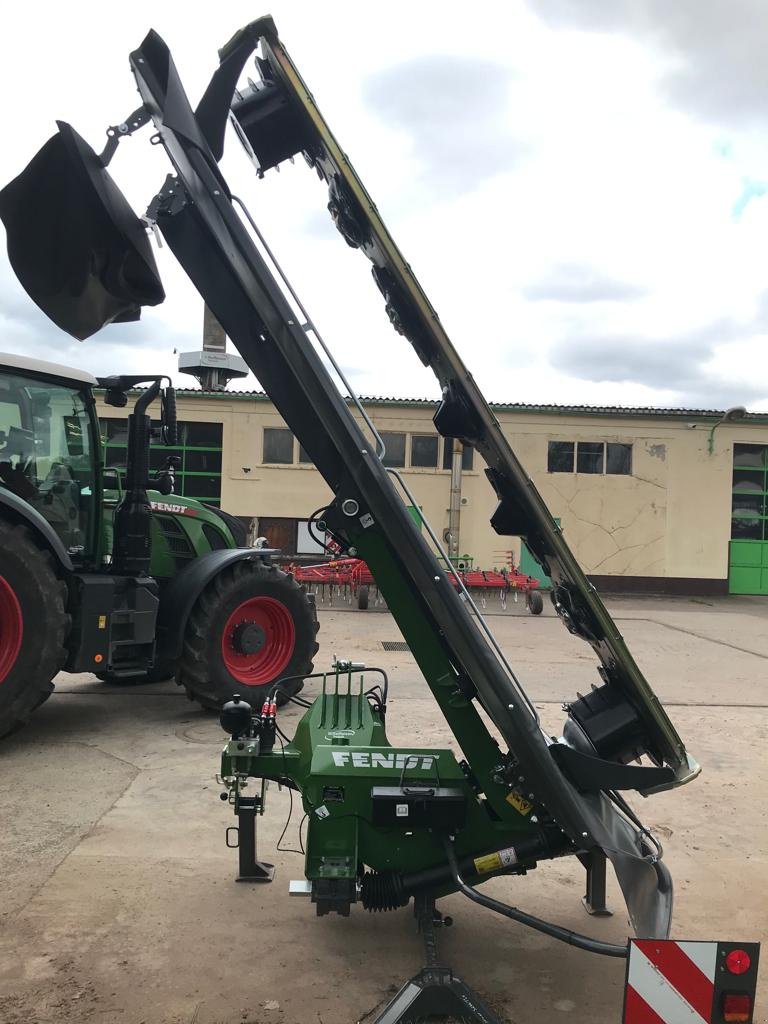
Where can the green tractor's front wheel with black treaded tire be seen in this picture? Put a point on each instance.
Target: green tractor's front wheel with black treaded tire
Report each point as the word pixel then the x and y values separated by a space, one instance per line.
pixel 203 670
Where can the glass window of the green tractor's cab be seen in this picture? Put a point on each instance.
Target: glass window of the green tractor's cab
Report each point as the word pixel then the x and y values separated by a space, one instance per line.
pixel 47 455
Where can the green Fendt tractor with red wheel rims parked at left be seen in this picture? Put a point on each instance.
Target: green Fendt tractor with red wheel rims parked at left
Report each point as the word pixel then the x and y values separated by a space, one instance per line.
pixel 126 579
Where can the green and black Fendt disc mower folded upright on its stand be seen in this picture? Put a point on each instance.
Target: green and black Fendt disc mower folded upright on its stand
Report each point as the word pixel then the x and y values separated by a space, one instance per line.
pixel 388 825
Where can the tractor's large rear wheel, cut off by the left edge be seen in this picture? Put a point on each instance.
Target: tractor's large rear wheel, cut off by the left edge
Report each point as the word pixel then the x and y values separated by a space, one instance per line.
pixel 35 600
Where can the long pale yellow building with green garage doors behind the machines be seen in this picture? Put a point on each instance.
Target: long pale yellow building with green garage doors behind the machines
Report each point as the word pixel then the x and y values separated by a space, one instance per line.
pixel 654 501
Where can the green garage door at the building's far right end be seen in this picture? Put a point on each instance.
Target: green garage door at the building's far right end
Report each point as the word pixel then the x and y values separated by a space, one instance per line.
pixel 748 571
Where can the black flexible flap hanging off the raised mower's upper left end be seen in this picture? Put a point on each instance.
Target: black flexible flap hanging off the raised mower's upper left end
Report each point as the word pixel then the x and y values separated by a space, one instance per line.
pixel 75 244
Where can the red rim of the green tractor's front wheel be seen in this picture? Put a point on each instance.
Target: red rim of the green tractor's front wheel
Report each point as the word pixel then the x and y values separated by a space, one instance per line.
pixel 277 626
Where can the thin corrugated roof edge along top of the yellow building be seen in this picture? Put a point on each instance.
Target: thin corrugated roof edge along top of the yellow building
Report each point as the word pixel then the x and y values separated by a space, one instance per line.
pixel 627 412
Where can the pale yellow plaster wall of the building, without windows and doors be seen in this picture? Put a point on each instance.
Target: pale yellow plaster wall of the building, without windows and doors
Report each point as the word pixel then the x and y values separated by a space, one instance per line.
pixel 669 521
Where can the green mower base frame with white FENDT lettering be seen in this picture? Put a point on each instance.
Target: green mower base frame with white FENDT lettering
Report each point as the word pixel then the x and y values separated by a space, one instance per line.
pixel 385 807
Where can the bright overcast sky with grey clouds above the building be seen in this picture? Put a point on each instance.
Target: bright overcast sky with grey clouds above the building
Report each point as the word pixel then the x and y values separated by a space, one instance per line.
pixel 581 186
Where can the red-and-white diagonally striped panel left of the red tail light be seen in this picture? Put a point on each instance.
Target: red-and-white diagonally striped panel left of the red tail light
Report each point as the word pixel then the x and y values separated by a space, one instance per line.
pixel 670 983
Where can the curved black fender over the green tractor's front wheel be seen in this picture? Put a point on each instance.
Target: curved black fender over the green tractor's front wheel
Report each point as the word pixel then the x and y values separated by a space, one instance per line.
pixel 180 595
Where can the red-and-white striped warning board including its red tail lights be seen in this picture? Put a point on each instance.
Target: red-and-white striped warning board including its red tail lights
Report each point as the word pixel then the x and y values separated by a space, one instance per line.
pixel 671 983
